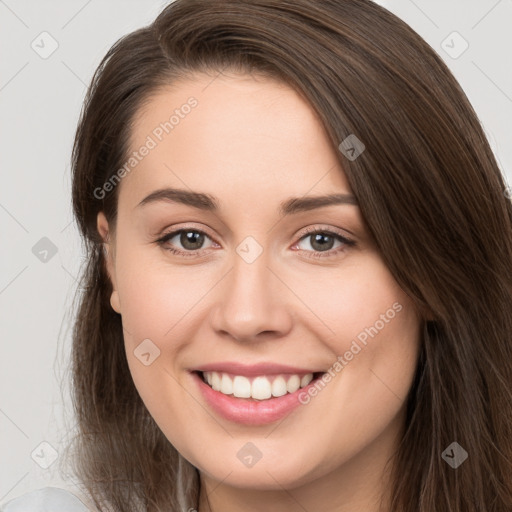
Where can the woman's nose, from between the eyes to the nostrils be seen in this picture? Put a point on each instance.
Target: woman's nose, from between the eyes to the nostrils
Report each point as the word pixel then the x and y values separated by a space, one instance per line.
pixel 252 303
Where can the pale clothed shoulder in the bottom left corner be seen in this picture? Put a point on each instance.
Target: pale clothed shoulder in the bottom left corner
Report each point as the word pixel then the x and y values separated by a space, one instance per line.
pixel 47 499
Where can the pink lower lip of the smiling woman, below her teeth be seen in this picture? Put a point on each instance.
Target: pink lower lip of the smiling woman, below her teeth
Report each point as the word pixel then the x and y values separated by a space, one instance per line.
pixel 249 411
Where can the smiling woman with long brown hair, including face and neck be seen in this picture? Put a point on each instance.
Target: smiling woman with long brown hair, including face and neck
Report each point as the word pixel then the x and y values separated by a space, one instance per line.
pixel 298 288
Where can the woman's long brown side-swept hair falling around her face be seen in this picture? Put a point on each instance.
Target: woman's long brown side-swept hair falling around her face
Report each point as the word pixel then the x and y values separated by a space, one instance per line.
pixel 430 192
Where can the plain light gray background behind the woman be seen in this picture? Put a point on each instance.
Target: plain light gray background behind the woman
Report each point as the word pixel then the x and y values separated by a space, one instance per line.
pixel 40 100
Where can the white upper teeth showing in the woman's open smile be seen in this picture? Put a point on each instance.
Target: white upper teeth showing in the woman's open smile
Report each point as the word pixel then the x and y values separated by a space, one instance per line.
pixel 261 387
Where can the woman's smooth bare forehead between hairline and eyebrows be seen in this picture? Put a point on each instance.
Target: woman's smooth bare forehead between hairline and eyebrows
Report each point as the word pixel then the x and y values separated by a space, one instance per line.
pixel 247 138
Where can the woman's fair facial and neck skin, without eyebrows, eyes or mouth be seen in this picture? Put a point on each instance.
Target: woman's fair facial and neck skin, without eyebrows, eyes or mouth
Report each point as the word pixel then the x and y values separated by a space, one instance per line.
pixel 254 143
